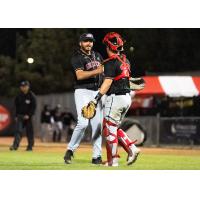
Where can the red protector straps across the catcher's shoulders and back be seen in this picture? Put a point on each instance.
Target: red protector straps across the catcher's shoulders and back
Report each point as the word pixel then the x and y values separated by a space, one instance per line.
pixel 125 67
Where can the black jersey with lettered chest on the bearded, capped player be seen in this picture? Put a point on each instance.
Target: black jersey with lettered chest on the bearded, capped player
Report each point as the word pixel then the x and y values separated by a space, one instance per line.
pixel 86 62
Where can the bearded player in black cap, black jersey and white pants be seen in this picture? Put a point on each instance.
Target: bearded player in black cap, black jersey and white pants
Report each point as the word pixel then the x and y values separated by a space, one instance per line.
pixel 88 69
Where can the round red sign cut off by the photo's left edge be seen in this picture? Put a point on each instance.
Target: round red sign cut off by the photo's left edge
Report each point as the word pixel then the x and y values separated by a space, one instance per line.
pixel 5 118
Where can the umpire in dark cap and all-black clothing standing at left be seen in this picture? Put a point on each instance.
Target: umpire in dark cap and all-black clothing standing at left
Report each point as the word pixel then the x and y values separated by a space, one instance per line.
pixel 25 104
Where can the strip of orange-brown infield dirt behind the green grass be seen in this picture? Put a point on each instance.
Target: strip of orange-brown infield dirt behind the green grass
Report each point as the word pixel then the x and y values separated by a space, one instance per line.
pixel 61 147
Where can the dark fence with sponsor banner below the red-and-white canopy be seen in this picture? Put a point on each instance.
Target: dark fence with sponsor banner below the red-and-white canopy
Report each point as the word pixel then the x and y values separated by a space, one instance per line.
pixel 170 130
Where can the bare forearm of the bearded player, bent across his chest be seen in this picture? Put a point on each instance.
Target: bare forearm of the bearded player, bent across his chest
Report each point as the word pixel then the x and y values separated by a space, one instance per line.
pixel 81 74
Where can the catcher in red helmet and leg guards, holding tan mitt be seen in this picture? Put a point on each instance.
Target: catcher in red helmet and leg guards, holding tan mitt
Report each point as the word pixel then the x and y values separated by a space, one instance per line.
pixel 117 86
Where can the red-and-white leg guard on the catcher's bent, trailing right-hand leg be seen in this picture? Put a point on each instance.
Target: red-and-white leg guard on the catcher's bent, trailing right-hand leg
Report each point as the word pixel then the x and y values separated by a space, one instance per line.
pixel 125 141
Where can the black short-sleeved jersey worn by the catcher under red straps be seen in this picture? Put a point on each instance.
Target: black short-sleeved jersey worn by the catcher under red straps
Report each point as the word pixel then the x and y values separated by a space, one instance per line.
pixel 113 69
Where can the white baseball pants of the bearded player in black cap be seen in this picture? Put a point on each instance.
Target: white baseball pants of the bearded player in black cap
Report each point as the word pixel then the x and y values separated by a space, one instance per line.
pixel 82 98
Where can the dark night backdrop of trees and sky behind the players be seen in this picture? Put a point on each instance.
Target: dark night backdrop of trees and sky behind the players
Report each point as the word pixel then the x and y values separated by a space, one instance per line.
pixel 156 52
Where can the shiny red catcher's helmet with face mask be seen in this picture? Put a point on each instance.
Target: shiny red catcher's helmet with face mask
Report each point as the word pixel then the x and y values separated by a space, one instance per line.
pixel 114 41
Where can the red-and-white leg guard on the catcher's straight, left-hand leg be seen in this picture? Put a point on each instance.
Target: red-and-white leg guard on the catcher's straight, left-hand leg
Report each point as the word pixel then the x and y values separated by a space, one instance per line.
pixel 110 134
